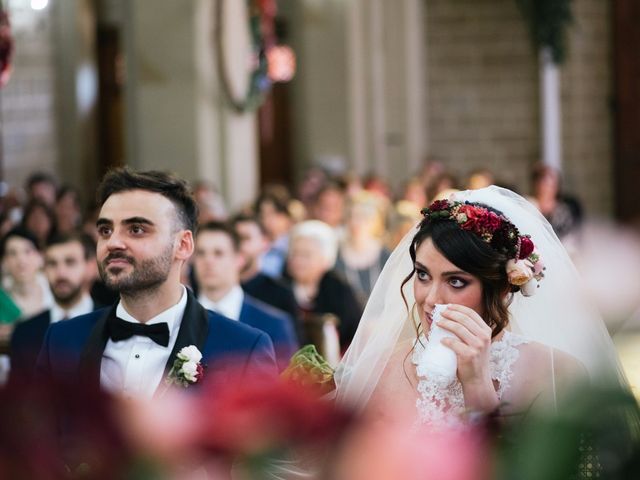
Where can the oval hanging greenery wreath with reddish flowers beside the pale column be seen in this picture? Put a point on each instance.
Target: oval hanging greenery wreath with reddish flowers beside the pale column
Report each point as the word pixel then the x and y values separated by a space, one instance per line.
pixel 259 83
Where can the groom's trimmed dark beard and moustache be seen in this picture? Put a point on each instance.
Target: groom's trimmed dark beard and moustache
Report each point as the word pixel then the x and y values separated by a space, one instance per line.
pixel 146 275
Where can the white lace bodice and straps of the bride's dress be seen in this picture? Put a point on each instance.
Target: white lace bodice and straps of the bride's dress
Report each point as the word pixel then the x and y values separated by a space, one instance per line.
pixel 443 405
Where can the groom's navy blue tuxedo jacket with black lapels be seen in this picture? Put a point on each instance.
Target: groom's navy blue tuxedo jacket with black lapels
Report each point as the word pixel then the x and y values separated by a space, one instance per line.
pixel 72 350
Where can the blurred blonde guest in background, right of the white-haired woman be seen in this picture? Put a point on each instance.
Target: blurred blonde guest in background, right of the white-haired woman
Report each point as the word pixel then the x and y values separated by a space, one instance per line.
pixel 362 254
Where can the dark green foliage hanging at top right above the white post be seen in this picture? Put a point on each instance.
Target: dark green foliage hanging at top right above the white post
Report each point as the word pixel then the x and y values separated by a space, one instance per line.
pixel 548 21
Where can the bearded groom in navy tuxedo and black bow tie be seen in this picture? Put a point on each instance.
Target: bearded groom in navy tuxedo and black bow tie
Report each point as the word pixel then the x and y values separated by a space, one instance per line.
pixel 145 236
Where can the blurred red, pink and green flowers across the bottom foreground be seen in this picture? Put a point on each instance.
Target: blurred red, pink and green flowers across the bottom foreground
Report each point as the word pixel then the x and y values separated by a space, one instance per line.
pixel 250 429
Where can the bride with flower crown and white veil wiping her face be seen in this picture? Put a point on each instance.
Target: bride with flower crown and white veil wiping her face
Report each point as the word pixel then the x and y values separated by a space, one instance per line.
pixel 521 336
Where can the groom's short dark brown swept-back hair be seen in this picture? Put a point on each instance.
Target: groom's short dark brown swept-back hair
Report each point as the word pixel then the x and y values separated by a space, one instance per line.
pixel 166 184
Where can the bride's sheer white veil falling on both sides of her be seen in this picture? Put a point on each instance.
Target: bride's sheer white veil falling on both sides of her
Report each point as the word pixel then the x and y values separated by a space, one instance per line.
pixel 559 315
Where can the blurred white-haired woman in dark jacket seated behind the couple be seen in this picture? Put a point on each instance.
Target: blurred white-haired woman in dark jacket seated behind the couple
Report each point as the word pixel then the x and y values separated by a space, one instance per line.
pixel 318 289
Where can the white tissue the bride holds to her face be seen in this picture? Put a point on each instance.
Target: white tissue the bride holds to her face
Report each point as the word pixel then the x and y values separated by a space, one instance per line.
pixel 438 362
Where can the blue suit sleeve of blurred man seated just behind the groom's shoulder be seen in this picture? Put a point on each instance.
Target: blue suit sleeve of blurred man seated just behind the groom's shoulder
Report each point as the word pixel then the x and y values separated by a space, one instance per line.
pixel 278 325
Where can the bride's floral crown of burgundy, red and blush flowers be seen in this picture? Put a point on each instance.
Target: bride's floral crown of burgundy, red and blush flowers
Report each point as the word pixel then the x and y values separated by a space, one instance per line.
pixel 524 267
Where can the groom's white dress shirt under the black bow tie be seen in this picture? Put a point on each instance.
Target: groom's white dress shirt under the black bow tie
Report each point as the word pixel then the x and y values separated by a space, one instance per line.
pixel 135 367
